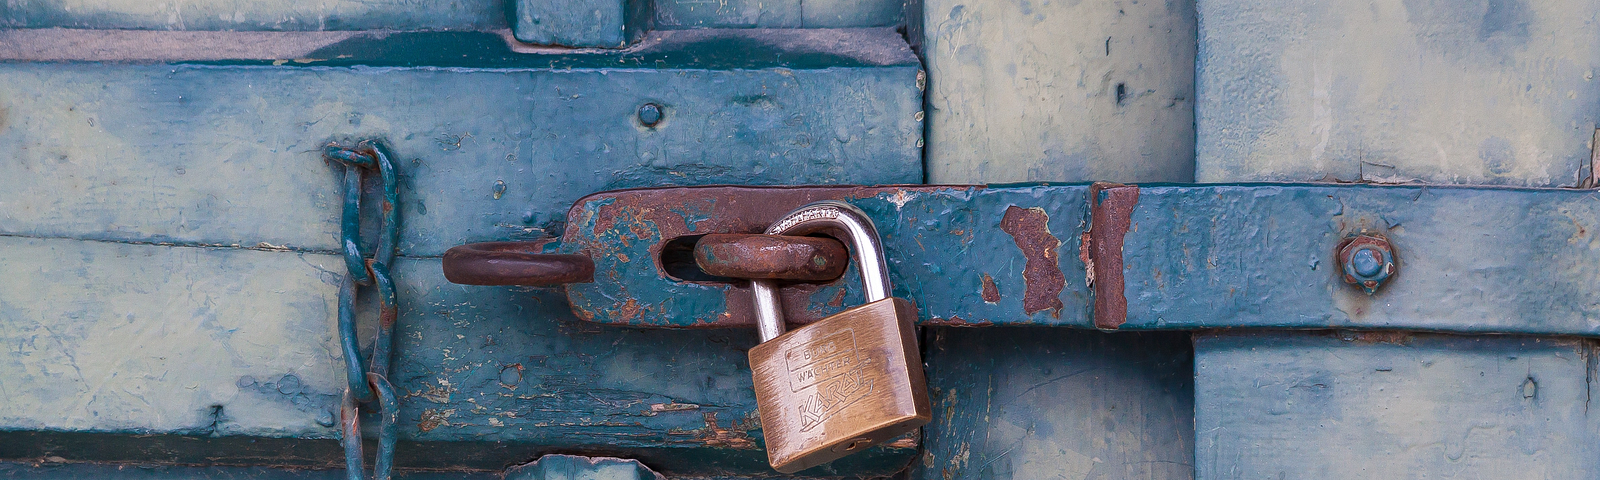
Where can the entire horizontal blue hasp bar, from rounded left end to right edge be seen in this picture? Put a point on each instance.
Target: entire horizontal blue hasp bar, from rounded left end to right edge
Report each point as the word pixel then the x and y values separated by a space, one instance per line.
pixel 1473 260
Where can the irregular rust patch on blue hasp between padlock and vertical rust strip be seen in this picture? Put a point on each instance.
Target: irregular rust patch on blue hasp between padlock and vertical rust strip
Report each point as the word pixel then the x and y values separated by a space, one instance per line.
pixel 1042 279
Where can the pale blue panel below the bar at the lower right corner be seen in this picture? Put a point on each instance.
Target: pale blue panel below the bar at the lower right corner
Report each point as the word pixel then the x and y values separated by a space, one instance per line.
pixel 1394 406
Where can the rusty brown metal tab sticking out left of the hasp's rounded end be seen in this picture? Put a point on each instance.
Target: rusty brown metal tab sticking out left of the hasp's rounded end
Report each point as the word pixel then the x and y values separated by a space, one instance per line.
pixel 514 263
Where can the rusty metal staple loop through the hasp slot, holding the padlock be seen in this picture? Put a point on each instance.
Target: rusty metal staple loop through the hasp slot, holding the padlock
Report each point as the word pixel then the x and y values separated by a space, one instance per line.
pixel 772 257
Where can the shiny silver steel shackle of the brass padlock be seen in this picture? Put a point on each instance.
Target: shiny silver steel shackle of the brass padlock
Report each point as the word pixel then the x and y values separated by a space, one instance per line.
pixel 828 215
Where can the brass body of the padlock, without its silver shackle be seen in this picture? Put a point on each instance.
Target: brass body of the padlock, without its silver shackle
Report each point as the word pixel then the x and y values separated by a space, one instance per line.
pixel 841 385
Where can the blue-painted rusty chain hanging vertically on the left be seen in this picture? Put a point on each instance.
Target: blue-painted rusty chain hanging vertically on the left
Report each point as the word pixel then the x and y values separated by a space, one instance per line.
pixel 367 385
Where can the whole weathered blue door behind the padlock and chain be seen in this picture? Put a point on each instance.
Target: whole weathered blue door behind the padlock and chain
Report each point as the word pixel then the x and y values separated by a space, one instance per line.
pixel 170 233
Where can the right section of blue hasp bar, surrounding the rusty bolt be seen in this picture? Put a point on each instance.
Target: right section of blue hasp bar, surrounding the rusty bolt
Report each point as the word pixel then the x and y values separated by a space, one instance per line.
pixel 1470 260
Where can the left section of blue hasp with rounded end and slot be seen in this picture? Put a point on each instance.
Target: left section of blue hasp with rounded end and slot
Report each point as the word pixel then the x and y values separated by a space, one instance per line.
pixel 945 246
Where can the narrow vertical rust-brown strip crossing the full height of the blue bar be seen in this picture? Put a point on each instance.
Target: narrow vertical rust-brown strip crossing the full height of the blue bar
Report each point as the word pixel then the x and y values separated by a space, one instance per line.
pixel 1111 215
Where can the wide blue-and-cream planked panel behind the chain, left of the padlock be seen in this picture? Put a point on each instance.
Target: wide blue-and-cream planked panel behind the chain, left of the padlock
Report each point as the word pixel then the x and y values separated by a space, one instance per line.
pixel 198 193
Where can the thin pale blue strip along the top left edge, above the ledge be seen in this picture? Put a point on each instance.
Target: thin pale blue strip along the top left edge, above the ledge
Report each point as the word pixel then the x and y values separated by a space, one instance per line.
pixel 281 15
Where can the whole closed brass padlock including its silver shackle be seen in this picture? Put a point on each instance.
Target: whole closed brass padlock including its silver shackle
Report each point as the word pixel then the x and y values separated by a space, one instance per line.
pixel 847 382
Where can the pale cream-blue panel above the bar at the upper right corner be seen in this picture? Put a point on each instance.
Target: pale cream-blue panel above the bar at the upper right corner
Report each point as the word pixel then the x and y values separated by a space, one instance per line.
pixel 1481 92
